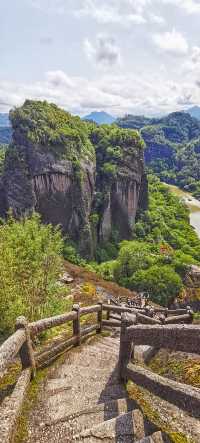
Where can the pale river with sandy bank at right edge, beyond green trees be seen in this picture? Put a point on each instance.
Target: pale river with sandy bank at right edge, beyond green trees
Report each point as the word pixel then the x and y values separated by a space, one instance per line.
pixel 192 203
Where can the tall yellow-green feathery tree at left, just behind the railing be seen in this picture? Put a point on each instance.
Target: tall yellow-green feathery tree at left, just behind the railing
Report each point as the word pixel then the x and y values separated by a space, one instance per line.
pixel 30 262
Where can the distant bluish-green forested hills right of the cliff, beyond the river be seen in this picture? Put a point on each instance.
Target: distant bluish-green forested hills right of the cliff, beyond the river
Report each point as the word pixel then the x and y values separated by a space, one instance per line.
pixel 172 148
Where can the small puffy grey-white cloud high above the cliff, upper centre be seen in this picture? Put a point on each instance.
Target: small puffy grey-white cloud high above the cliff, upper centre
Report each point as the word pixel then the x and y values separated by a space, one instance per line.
pixel 104 51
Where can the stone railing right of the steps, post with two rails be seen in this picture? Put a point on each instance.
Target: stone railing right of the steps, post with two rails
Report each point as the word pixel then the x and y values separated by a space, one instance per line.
pixel 176 337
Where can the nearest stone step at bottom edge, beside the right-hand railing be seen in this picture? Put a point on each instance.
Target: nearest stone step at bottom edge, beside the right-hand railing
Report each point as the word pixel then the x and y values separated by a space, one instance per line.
pixel 125 428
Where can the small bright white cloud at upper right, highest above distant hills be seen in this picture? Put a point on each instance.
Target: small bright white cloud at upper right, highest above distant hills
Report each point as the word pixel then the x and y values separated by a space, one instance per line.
pixel 173 42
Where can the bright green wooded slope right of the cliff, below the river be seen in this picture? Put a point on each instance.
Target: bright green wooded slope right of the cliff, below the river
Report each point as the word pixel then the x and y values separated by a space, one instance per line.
pixel 163 245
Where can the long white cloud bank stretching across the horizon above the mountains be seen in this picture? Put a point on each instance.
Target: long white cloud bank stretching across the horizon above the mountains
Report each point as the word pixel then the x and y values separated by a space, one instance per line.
pixel 118 94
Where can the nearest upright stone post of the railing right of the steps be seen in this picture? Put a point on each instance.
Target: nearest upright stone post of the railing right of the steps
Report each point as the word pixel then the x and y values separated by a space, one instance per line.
pixel 125 348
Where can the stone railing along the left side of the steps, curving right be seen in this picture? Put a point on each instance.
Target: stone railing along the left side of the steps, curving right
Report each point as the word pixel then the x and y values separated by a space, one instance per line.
pixel 20 345
